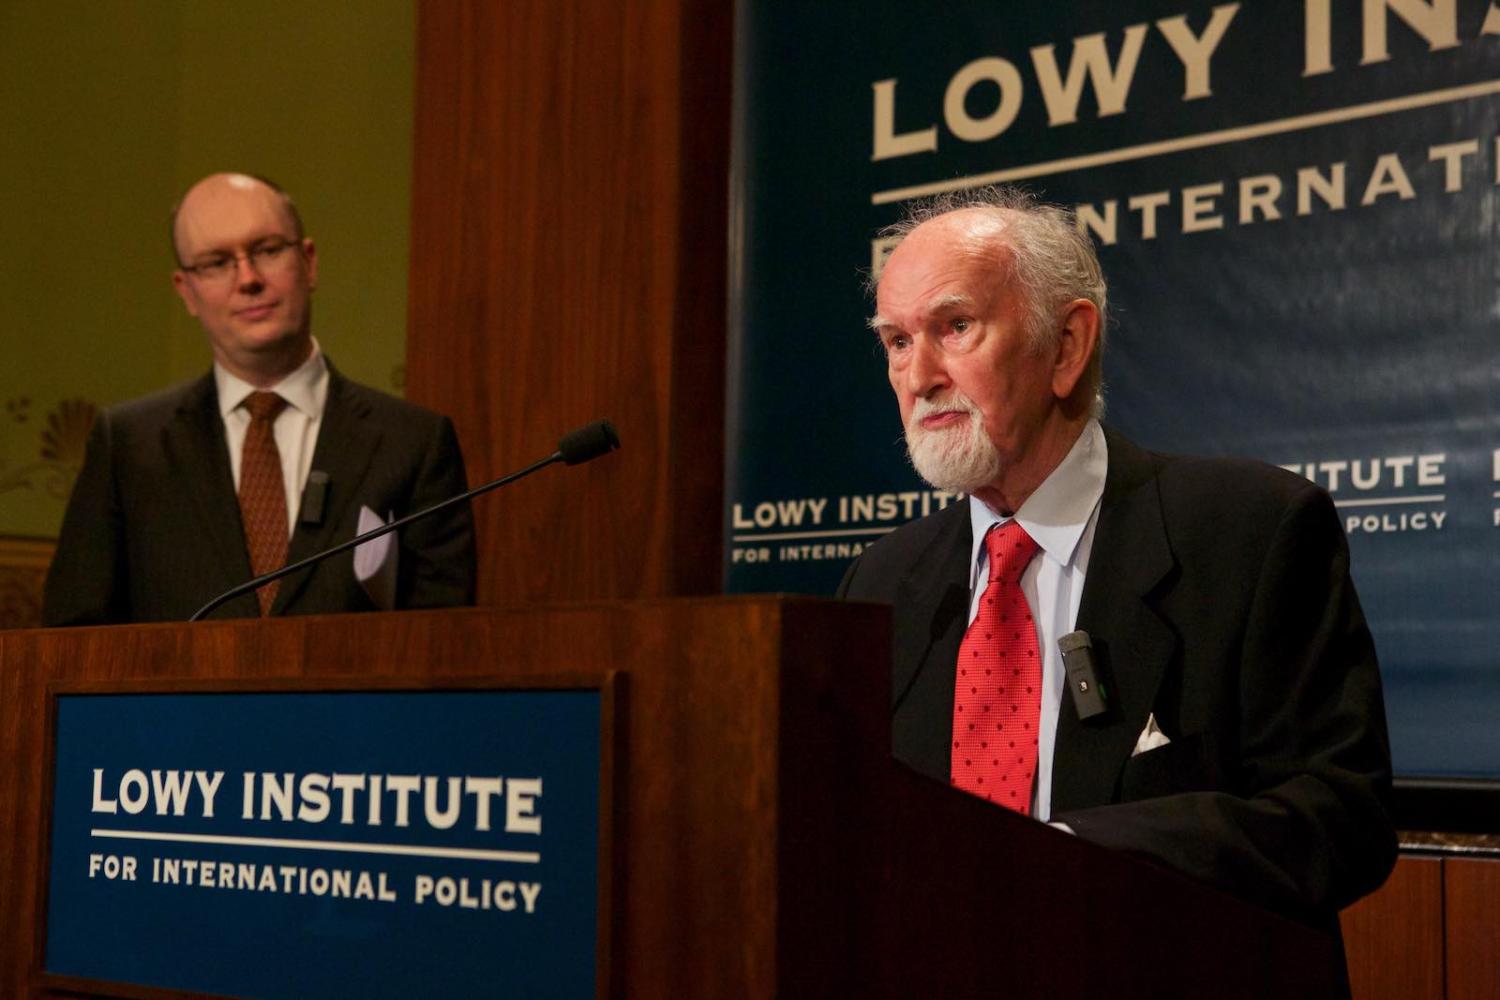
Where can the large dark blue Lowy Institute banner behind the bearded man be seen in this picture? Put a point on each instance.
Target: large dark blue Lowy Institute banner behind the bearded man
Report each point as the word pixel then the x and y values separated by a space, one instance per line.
pixel 1297 205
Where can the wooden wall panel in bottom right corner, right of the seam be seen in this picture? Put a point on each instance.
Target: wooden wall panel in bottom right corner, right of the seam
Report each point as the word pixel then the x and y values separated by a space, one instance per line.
pixel 1472 903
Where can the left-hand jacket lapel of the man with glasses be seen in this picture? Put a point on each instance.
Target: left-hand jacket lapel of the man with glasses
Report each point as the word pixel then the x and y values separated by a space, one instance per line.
pixel 197 452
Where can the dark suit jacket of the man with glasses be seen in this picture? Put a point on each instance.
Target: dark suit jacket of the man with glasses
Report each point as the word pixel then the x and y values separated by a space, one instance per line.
pixel 154 531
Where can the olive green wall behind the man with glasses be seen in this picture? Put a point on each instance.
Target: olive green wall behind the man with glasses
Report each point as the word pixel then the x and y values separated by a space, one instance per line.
pixel 109 112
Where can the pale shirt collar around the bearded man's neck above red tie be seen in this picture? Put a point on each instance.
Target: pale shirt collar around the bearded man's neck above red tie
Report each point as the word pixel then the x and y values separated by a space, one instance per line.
pixel 1060 510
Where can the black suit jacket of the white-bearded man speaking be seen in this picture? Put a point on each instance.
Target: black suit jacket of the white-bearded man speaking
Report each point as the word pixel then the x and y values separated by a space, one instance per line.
pixel 1217 597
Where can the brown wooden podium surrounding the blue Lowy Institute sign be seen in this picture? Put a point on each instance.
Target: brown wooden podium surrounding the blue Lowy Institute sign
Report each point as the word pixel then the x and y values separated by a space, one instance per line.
pixel 766 845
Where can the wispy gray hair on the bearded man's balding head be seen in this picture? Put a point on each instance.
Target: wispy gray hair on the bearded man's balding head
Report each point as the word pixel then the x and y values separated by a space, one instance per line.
pixel 1051 260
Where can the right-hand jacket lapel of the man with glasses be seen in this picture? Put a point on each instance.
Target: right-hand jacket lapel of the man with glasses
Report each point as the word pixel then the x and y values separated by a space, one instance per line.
pixel 347 443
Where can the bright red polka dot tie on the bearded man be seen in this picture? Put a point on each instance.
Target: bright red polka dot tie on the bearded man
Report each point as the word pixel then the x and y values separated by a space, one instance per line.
pixel 997 699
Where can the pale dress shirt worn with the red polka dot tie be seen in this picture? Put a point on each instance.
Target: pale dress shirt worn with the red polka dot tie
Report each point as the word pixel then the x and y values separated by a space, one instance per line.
pixel 1061 518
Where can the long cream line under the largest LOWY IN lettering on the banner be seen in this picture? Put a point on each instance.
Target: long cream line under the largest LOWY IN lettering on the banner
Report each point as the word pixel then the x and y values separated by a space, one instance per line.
pixel 1207 140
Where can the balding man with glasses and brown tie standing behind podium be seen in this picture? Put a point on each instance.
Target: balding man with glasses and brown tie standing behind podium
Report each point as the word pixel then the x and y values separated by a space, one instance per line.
pixel 263 461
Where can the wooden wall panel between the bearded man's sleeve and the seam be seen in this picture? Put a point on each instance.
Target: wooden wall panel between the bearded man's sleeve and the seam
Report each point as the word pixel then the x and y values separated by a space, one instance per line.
pixel 1394 938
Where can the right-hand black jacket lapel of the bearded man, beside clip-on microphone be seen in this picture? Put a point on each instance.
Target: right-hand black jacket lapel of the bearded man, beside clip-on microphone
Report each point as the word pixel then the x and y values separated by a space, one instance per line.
pixel 1130 560
